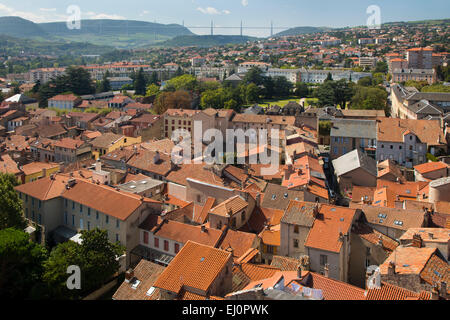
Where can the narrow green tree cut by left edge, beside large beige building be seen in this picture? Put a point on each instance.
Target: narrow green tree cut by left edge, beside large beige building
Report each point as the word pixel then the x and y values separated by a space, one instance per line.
pixel 11 210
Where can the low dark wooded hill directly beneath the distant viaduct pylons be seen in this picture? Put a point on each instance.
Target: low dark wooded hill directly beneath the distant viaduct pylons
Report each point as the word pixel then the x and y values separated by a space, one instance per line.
pixel 206 41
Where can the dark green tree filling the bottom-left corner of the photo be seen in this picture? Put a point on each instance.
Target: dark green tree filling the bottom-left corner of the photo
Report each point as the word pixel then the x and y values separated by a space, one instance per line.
pixel 21 264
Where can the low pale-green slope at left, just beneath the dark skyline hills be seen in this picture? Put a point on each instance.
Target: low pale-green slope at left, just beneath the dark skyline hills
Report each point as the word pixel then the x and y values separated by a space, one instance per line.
pixel 10 46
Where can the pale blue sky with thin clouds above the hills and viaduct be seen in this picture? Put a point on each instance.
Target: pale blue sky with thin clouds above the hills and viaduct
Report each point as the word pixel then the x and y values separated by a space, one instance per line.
pixel 229 13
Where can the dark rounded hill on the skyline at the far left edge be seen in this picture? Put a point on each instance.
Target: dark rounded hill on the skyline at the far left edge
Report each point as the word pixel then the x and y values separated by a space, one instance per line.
pixel 20 28
